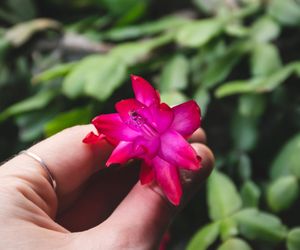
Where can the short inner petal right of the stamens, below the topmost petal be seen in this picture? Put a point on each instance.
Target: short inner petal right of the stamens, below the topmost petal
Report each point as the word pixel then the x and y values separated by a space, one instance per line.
pixel 162 116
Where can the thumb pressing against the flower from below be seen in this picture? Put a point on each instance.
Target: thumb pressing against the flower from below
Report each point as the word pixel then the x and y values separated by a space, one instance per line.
pixel 142 218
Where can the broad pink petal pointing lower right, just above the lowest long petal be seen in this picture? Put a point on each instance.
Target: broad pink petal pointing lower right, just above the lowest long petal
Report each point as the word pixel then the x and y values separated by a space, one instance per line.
pixel 176 150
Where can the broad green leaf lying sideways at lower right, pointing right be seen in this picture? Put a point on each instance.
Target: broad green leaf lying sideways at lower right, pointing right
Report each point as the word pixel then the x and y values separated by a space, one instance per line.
pixel 257 225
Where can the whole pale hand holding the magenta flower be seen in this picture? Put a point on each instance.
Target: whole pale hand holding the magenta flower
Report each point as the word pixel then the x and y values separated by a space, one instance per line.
pixel 93 207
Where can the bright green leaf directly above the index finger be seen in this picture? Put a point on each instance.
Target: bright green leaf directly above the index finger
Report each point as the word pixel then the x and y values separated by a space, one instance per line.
pixel 64 120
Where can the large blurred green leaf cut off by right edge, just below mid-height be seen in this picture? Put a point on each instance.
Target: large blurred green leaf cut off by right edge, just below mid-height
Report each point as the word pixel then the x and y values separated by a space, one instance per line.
pixel 287 160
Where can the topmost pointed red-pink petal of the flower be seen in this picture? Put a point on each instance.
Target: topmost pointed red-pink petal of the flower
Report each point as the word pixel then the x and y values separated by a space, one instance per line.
pixel 144 92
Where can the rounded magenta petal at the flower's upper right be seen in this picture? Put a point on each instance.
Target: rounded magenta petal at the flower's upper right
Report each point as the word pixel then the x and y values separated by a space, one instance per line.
pixel 186 118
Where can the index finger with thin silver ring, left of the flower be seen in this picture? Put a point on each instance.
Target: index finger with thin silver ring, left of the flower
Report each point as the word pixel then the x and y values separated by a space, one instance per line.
pixel 70 161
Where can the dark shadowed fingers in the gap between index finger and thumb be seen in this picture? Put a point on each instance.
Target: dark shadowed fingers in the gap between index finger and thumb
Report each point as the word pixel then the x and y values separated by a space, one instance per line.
pixel 101 196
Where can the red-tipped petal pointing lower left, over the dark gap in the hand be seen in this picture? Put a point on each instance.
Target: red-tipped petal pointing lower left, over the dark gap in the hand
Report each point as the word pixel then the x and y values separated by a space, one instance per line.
pixel 124 152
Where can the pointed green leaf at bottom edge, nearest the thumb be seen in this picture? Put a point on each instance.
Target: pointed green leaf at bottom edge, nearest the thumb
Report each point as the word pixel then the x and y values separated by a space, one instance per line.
pixel 204 237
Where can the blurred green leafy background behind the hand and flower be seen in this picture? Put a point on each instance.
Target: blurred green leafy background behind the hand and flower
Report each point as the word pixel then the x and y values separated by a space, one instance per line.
pixel 63 62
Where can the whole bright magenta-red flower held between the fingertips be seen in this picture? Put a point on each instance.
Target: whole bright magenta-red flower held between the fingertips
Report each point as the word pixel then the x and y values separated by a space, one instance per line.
pixel 149 130
